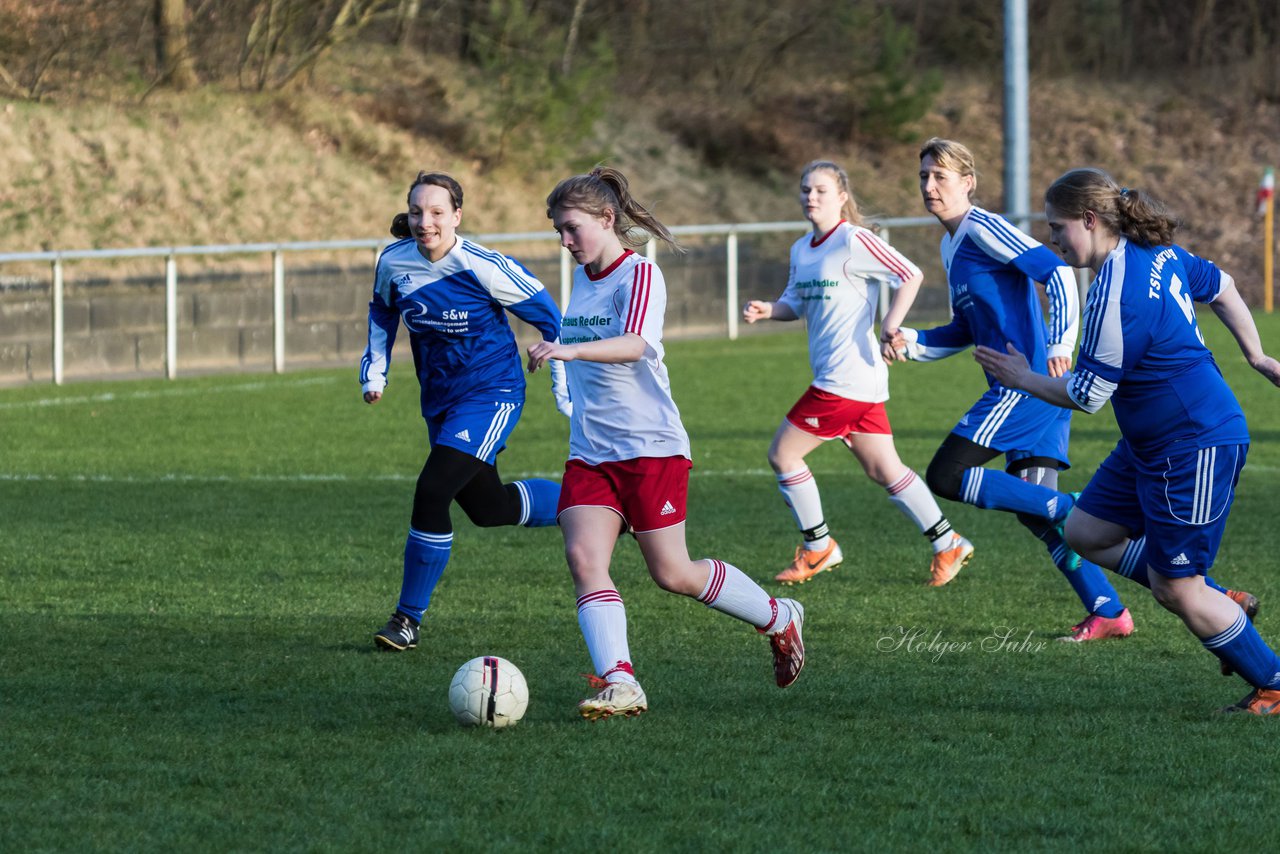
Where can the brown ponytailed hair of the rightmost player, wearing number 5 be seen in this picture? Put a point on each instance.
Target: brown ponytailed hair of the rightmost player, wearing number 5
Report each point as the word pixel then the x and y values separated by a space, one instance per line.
pixel 1133 213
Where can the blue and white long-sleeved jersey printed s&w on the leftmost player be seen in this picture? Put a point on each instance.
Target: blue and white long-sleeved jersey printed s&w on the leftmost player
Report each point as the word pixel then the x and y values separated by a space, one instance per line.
pixel 455 310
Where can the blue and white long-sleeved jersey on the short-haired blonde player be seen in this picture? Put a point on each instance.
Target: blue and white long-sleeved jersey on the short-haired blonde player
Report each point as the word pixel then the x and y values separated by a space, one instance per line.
pixel 991 267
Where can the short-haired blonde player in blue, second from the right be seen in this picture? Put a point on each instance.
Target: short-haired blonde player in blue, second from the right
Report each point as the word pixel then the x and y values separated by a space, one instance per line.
pixel 991 270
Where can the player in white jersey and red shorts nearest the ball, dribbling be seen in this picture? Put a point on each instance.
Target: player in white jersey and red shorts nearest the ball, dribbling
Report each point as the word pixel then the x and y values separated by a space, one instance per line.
pixel 629 454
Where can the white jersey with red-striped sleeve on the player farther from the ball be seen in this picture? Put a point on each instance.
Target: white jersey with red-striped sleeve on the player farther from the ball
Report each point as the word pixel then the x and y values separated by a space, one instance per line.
pixel 835 286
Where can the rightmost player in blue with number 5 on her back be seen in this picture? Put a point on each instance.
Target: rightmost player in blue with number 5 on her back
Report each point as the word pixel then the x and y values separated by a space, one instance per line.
pixel 1183 442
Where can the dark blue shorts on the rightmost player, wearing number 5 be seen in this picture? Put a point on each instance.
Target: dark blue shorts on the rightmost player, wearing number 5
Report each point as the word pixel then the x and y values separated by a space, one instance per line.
pixel 1180 503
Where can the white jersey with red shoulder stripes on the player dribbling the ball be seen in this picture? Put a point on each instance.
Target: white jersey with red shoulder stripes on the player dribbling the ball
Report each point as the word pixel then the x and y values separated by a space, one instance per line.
pixel 621 412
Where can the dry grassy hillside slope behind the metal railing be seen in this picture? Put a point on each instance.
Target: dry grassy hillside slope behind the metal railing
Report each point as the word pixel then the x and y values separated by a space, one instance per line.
pixel 326 163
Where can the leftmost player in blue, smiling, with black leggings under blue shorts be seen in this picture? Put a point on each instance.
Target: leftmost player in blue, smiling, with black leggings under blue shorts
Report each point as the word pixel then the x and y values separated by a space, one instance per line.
pixel 452 296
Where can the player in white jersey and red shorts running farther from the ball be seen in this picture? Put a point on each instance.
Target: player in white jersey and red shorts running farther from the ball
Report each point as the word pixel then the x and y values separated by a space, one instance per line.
pixel 836 277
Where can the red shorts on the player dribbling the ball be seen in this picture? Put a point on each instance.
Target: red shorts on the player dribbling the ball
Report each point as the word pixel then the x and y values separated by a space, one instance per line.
pixel 648 494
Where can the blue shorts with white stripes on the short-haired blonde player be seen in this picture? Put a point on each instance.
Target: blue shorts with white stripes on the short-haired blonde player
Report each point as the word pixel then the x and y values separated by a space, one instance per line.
pixel 1018 426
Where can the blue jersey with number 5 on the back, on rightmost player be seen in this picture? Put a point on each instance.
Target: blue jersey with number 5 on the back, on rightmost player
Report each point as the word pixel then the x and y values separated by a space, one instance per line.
pixel 1144 351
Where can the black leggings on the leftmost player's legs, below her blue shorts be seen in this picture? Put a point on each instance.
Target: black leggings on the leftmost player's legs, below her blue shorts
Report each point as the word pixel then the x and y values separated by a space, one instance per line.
pixel 452 476
